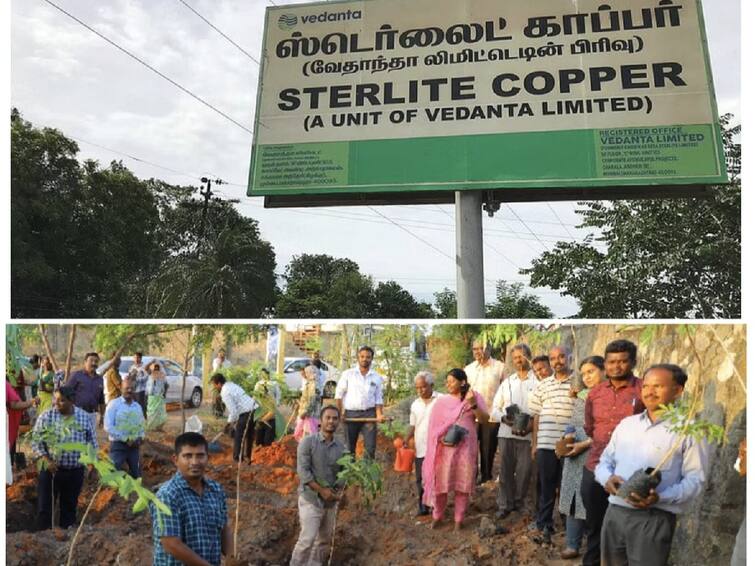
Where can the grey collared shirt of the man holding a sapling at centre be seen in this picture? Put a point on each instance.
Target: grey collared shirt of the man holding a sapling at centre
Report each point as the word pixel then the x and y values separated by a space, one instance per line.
pixel 316 461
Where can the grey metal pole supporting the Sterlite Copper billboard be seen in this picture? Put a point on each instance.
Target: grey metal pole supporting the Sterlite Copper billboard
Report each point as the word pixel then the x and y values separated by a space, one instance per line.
pixel 470 281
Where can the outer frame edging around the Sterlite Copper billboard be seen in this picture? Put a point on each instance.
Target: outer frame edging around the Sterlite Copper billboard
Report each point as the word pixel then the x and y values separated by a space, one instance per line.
pixel 533 190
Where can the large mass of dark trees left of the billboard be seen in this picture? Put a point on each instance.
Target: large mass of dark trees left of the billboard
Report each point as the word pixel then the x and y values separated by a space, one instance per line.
pixel 93 242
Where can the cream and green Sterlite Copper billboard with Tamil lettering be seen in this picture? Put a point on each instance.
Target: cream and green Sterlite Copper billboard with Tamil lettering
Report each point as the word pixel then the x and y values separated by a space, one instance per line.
pixel 382 96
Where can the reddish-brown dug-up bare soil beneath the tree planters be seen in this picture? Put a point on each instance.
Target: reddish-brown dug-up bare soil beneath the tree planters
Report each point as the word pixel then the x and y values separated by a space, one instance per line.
pixel 387 534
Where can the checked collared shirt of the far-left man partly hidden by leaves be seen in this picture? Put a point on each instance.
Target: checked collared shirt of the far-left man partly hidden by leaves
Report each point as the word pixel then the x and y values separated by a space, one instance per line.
pixel 64 428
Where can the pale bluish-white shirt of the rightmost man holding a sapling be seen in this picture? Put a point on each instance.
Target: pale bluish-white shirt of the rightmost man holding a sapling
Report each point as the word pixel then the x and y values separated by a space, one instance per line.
pixel 638 443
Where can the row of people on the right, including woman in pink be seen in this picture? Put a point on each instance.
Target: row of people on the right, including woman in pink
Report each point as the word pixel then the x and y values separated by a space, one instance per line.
pixel 581 434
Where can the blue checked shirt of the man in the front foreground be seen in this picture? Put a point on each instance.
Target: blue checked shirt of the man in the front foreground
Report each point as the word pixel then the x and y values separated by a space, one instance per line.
pixel 197 520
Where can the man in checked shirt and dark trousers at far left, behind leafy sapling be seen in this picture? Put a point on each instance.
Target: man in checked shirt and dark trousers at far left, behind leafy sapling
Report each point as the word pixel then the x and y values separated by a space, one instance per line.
pixel 61 475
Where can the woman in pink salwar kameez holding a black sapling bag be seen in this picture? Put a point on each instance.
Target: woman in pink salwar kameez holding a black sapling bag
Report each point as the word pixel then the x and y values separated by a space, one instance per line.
pixel 452 468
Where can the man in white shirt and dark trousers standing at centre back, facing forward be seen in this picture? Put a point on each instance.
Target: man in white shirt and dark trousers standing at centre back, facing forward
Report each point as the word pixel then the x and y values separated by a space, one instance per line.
pixel 359 395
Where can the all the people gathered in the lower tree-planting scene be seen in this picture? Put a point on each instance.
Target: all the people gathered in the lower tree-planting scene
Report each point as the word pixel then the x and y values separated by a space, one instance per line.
pixel 581 434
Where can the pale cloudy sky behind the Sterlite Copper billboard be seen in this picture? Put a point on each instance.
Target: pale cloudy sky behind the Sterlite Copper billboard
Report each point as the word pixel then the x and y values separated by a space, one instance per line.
pixel 65 76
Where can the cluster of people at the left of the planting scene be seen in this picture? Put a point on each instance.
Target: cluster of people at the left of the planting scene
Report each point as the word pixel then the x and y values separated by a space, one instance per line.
pixel 67 414
